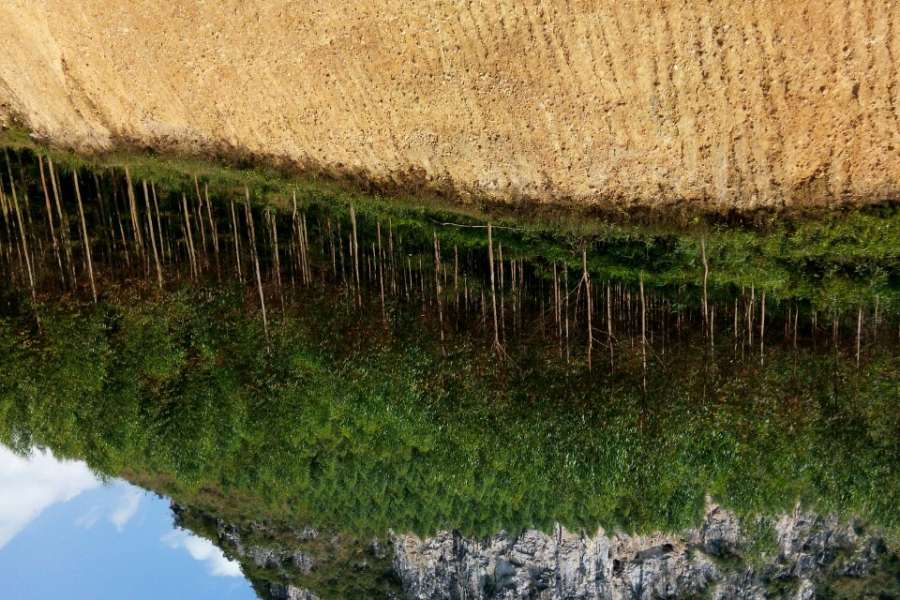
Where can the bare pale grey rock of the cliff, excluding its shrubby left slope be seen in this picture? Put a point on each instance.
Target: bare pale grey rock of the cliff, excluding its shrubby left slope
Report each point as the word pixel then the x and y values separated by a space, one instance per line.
pixel 576 566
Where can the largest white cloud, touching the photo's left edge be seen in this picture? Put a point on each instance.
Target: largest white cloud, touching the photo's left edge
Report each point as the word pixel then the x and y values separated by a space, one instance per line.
pixel 29 485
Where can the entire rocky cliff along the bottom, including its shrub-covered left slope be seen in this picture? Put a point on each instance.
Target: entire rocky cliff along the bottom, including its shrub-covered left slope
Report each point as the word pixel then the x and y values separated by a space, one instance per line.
pixel 799 556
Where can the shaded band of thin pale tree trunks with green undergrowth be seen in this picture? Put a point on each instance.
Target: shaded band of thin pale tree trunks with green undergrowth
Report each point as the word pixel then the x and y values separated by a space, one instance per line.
pixel 86 234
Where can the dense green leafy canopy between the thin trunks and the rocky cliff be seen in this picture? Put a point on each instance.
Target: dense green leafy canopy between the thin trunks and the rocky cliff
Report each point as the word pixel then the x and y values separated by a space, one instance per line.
pixel 357 425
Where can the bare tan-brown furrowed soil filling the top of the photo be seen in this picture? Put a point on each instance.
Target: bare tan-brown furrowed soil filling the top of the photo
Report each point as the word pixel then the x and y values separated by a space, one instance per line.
pixel 724 105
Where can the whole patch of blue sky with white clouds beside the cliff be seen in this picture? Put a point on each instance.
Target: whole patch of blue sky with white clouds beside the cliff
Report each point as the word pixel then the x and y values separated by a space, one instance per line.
pixel 64 534
